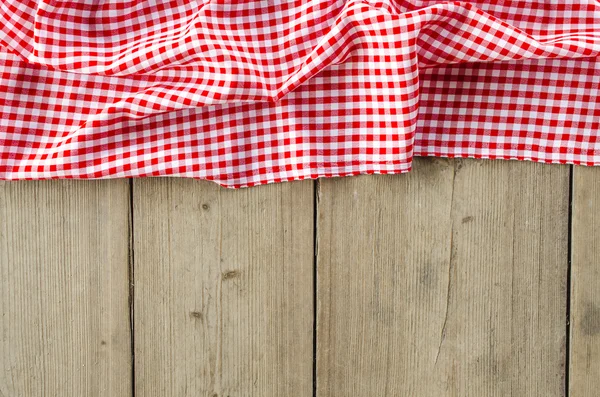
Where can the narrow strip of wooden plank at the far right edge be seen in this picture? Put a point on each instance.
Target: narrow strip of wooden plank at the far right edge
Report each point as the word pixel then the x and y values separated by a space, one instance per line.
pixel 584 369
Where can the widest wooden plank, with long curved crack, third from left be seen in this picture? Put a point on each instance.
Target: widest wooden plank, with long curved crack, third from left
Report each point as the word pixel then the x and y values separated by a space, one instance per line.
pixel 449 281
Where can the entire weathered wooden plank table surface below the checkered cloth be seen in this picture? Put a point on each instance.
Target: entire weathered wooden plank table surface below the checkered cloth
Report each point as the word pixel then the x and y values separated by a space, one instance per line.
pixel 461 278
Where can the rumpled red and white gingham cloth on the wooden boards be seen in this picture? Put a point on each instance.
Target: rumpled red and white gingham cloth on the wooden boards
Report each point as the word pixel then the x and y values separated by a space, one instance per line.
pixel 250 92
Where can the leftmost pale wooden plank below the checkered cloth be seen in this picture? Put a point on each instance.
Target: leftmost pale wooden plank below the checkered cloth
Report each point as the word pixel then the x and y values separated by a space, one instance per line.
pixel 64 324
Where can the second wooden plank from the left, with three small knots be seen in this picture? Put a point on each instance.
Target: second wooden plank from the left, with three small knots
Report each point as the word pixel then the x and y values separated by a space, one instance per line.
pixel 223 289
